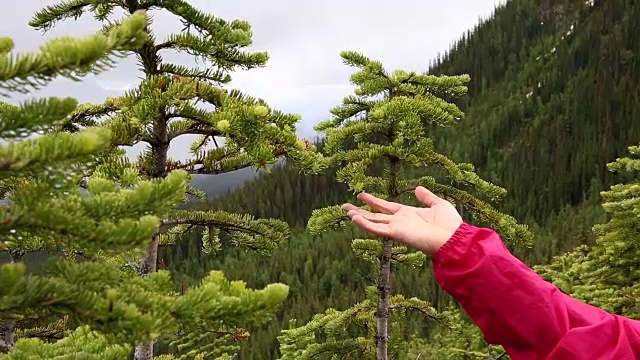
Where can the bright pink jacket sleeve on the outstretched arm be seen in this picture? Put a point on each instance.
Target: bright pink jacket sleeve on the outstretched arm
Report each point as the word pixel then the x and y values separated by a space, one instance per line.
pixel 516 308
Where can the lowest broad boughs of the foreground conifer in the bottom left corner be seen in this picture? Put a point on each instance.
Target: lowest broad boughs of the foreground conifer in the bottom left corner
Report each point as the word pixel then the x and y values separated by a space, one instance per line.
pixel 124 309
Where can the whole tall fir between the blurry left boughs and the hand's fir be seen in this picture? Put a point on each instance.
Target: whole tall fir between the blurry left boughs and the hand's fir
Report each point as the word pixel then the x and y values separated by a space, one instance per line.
pixel 167 105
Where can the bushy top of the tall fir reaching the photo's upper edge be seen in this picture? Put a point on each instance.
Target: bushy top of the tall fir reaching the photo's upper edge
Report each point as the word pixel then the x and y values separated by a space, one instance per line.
pixel 175 100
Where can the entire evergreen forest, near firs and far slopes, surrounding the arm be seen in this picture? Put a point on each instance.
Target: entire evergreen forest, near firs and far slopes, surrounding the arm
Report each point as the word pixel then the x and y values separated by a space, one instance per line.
pixel 527 123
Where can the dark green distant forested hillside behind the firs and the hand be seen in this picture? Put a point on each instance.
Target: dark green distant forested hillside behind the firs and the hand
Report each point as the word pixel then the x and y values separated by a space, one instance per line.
pixel 554 96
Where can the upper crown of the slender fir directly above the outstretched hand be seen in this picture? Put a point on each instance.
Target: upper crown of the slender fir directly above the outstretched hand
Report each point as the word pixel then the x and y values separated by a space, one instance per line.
pixel 388 118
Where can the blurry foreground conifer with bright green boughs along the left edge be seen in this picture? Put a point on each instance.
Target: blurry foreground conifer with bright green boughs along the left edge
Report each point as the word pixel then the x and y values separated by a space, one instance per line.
pixel 93 309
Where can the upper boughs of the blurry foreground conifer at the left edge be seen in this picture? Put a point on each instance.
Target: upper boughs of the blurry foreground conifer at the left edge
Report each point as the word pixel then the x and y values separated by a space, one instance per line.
pixel 39 175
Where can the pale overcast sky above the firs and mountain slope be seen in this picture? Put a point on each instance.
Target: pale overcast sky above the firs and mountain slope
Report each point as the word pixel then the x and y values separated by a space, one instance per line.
pixel 305 74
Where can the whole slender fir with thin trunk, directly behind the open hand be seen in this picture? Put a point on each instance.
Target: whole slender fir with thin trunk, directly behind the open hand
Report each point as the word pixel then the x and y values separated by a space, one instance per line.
pixel 386 118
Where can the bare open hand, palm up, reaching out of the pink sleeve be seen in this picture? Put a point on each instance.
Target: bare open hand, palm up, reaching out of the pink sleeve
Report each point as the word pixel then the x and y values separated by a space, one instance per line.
pixel 425 229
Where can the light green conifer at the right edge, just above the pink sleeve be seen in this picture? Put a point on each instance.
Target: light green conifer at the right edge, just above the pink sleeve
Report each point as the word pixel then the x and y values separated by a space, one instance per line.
pixel 607 275
